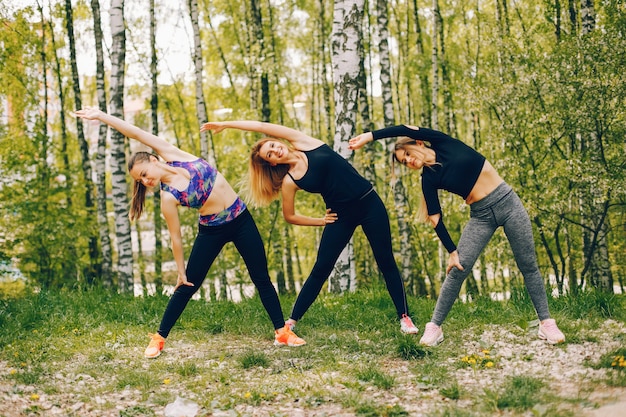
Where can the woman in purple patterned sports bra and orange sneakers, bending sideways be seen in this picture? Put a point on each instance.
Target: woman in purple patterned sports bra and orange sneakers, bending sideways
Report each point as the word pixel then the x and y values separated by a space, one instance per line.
pixel 187 180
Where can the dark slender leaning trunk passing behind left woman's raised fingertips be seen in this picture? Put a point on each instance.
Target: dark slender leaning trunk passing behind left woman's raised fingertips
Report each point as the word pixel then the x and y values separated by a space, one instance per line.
pixel 92 273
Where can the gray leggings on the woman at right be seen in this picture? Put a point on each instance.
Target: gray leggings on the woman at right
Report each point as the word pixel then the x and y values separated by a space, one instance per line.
pixel 502 207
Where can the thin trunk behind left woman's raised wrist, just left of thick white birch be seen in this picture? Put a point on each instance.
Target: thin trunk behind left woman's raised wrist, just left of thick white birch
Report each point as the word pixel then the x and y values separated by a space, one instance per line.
pixel 106 266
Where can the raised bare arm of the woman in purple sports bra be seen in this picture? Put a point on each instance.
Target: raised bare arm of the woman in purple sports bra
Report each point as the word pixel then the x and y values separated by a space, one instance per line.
pixel 166 150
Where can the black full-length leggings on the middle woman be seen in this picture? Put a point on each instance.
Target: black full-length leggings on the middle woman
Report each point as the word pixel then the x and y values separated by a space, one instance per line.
pixel 369 212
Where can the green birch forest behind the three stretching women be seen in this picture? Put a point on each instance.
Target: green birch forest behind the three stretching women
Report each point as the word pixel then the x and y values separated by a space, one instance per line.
pixel 538 87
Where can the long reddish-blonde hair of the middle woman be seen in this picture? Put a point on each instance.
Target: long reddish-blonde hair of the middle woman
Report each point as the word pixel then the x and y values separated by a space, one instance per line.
pixel 264 180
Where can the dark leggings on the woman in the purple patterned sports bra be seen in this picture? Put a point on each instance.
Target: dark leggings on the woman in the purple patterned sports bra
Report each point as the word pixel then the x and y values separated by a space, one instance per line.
pixel 242 231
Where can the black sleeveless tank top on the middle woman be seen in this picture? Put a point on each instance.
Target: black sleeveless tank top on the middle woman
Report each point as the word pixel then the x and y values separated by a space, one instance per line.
pixel 330 175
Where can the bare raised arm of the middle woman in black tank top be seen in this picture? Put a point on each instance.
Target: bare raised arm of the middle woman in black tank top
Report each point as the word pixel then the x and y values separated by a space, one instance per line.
pixel 299 140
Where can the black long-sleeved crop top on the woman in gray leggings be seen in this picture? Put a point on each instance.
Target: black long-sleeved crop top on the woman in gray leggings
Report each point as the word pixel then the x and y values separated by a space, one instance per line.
pixel 457 170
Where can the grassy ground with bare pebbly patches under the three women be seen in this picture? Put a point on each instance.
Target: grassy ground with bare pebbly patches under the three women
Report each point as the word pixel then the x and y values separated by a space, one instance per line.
pixel 81 354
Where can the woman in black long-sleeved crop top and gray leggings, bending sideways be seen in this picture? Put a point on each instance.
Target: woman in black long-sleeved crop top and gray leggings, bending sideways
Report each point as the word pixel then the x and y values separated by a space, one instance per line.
pixel 449 164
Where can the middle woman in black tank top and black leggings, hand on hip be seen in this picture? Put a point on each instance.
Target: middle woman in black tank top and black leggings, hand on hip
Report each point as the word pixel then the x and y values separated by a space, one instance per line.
pixel 311 165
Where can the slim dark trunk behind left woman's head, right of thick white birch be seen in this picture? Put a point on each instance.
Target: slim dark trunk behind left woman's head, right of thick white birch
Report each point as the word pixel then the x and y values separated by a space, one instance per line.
pixel 154 108
